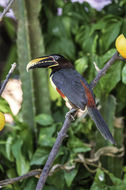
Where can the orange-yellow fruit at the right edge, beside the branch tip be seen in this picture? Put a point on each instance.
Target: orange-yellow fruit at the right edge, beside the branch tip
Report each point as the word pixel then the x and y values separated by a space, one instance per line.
pixel 121 45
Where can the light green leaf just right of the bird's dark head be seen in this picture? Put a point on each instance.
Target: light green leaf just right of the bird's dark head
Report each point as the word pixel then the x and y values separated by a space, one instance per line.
pixel 81 64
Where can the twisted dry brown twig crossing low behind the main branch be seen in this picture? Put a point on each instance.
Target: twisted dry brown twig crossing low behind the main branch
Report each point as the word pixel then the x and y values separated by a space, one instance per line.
pixel 104 151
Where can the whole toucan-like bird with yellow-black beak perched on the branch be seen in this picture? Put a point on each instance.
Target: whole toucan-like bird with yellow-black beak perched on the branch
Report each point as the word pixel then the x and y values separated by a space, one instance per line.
pixel 73 88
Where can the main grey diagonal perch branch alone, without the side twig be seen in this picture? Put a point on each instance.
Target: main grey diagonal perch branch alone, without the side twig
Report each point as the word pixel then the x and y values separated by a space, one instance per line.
pixel 66 125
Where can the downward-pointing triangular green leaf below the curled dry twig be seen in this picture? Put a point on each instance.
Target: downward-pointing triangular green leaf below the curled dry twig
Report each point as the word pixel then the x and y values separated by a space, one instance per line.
pixel 69 176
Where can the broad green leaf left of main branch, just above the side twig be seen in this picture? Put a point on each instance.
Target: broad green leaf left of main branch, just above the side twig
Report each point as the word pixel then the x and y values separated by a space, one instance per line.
pixel 40 156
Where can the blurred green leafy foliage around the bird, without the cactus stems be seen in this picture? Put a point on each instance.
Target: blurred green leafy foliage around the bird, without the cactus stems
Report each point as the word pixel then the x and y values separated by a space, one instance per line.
pixel 84 35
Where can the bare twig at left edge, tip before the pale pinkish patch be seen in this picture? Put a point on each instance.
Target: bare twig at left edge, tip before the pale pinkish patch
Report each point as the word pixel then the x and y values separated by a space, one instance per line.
pixel 7 77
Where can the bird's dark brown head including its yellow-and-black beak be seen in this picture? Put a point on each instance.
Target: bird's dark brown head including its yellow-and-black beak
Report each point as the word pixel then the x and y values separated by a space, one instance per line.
pixel 54 61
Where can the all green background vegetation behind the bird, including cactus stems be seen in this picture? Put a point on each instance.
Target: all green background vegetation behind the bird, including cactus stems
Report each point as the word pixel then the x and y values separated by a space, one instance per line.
pixel 83 34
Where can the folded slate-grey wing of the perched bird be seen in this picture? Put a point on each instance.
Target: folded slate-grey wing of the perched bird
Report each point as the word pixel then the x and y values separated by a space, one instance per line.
pixel 69 83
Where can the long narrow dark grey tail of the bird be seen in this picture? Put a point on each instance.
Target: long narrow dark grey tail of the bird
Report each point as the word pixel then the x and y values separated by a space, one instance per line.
pixel 100 123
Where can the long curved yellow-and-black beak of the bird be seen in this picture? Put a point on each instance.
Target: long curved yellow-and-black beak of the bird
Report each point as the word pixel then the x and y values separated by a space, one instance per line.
pixel 42 62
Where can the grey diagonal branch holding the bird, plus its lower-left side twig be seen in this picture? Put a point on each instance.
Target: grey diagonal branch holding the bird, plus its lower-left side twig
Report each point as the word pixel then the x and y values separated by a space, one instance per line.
pixel 61 136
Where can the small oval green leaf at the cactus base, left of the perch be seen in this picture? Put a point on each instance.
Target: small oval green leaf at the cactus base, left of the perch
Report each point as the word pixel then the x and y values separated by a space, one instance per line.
pixel 44 119
